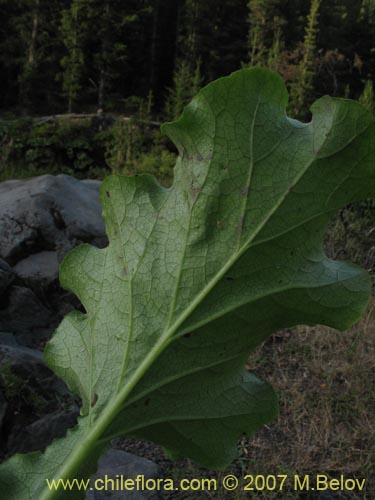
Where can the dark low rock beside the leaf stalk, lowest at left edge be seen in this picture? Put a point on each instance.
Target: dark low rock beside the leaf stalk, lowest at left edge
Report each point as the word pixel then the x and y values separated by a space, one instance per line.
pixel 39 434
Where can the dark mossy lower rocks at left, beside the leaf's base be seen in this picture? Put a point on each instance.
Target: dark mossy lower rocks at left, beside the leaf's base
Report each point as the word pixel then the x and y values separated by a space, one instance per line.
pixel 35 398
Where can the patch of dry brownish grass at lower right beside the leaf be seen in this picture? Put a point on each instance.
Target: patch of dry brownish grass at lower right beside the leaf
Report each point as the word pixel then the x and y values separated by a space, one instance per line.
pixel 326 382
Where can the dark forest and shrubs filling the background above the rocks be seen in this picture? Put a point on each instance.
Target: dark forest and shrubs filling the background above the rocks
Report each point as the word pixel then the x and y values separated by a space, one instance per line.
pixel 112 70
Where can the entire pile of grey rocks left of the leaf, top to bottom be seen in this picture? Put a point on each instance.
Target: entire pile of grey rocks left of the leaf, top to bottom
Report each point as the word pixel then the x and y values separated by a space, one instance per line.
pixel 41 219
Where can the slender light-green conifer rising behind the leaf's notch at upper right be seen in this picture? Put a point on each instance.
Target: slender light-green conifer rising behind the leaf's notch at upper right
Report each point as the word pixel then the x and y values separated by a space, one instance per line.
pixel 302 90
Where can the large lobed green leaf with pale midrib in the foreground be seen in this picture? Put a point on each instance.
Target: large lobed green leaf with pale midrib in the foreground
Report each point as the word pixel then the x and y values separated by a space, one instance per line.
pixel 197 275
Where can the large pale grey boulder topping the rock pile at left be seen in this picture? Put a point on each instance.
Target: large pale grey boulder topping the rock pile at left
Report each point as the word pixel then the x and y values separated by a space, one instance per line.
pixel 48 213
